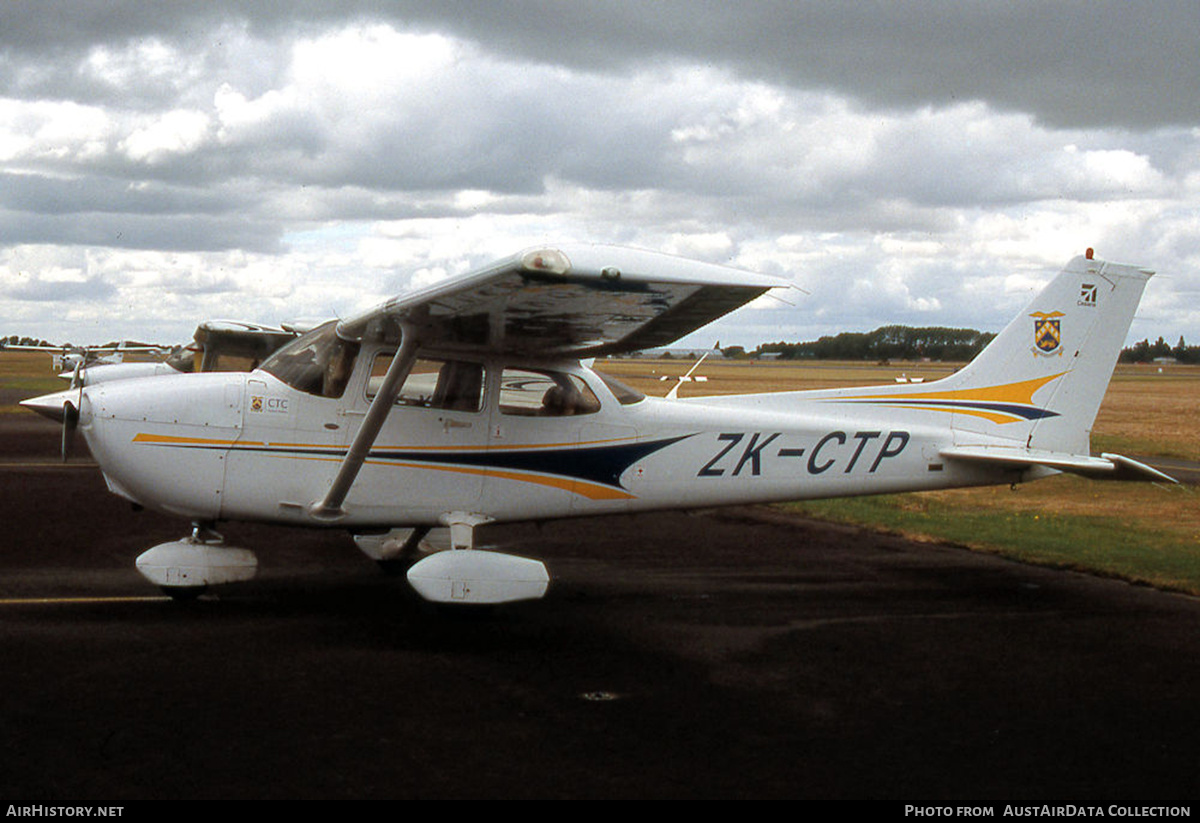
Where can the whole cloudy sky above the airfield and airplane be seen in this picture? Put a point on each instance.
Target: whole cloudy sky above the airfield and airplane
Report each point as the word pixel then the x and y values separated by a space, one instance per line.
pixel 926 164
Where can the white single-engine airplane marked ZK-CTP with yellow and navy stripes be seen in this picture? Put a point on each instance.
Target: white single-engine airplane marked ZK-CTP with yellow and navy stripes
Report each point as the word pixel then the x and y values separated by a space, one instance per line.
pixel 469 404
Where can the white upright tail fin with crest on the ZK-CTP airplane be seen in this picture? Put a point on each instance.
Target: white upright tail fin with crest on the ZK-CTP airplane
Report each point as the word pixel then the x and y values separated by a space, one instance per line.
pixel 1054 362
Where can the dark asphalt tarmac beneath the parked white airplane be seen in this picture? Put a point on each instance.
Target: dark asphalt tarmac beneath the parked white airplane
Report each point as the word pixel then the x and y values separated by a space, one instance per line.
pixel 721 654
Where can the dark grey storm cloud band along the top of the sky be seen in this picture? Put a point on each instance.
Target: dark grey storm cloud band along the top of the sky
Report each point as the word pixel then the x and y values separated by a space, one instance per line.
pixel 1070 63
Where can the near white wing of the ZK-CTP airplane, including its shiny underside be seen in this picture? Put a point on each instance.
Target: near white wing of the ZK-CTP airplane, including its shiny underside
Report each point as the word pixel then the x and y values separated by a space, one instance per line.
pixel 577 301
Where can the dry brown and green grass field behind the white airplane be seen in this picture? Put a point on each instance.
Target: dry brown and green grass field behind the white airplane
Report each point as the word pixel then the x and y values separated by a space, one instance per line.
pixel 1139 532
